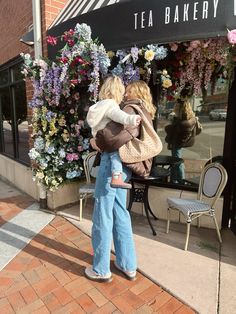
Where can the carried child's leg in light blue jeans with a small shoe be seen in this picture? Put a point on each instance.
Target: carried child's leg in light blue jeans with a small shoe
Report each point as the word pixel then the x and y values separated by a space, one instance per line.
pixel 116 169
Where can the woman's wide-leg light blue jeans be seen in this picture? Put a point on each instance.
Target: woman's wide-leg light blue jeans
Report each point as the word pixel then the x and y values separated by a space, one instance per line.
pixel 111 219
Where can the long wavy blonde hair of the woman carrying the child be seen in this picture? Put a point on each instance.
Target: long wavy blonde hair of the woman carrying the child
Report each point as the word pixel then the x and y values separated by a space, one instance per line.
pixel 140 90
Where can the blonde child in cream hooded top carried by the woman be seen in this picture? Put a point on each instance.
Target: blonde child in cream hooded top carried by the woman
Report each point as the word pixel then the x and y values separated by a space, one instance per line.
pixel 105 110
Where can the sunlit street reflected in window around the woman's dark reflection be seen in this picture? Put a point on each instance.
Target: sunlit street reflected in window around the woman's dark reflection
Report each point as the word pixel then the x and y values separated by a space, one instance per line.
pixel 210 142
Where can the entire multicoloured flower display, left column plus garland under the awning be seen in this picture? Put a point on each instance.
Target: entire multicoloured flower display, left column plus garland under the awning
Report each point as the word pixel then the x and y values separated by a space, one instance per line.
pixel 65 88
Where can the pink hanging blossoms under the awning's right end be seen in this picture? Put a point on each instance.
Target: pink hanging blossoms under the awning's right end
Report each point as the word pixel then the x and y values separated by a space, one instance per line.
pixel 200 62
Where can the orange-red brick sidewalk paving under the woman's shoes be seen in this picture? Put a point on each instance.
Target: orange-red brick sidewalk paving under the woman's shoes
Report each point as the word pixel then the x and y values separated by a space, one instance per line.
pixel 47 277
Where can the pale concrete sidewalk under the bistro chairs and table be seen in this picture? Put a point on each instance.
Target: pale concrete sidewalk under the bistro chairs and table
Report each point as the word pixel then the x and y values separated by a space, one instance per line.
pixel 203 277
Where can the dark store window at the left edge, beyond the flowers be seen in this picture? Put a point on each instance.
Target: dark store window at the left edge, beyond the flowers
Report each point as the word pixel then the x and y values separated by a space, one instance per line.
pixel 14 139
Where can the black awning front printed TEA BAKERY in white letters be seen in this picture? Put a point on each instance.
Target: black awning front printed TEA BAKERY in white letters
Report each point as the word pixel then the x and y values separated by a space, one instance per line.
pixel 154 21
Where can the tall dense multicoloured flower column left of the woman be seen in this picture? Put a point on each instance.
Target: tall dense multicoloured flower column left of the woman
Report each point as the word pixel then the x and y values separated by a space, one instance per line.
pixel 60 135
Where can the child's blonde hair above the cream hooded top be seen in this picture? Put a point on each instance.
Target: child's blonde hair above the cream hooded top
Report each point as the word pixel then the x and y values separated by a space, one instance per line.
pixel 112 88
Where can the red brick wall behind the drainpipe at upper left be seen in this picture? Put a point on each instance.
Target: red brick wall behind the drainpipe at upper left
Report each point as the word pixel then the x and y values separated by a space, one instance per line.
pixel 15 18
